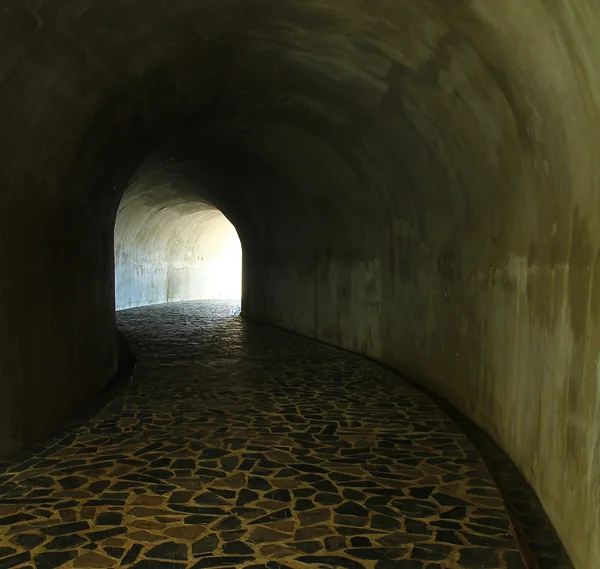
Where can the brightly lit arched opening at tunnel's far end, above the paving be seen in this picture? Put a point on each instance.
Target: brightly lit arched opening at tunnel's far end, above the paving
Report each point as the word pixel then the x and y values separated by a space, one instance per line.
pixel 171 245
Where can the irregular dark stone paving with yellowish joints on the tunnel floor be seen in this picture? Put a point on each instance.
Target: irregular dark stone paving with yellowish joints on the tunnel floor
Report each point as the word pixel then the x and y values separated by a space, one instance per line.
pixel 239 445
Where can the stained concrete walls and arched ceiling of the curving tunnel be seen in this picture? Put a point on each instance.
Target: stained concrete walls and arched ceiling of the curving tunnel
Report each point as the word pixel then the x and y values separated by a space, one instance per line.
pixel 413 181
